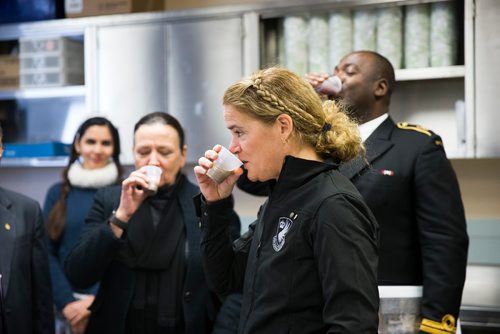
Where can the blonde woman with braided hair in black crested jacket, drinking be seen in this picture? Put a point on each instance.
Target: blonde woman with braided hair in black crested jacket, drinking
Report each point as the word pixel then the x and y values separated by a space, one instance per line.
pixel 308 263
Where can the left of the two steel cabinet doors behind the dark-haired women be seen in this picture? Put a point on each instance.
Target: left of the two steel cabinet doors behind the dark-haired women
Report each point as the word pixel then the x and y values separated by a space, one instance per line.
pixel 130 76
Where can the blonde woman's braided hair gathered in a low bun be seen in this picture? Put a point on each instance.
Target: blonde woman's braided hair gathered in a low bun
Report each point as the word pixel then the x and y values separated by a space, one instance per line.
pixel 273 91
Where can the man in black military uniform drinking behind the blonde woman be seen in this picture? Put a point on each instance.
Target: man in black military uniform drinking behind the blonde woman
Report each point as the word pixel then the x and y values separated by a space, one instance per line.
pixel 409 184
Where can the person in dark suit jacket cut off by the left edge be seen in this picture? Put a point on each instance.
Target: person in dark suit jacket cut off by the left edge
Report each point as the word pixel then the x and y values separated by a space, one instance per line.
pixel 25 286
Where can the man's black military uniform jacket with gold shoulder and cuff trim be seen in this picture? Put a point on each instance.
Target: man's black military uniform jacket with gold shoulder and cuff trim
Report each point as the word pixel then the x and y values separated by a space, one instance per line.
pixel 413 192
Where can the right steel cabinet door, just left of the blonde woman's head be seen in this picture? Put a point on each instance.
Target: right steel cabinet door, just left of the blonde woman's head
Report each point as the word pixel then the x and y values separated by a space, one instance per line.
pixel 204 58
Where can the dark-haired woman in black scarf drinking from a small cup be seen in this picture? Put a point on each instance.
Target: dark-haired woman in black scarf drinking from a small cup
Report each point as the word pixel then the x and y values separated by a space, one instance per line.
pixel 141 241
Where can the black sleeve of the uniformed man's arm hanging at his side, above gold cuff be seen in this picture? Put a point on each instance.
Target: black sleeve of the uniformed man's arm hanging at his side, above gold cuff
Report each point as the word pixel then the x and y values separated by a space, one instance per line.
pixel 442 232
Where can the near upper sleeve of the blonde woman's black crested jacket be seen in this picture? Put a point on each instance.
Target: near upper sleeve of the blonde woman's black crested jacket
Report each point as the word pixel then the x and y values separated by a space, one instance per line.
pixel 345 247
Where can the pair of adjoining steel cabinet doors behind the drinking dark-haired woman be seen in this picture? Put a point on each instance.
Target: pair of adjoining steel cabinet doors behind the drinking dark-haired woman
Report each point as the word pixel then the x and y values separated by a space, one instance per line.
pixel 179 67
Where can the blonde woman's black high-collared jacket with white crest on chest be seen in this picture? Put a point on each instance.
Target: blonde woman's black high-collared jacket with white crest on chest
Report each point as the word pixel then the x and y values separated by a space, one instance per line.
pixel 308 264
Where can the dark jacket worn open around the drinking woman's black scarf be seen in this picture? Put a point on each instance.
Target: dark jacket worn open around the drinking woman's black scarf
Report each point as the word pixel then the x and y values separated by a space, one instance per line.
pixel 94 258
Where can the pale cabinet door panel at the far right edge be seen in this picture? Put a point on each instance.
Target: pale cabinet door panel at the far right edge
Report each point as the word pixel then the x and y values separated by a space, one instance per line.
pixel 487 61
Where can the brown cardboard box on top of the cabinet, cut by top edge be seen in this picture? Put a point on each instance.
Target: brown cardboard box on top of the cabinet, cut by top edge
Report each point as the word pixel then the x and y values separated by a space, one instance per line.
pixel 79 8
